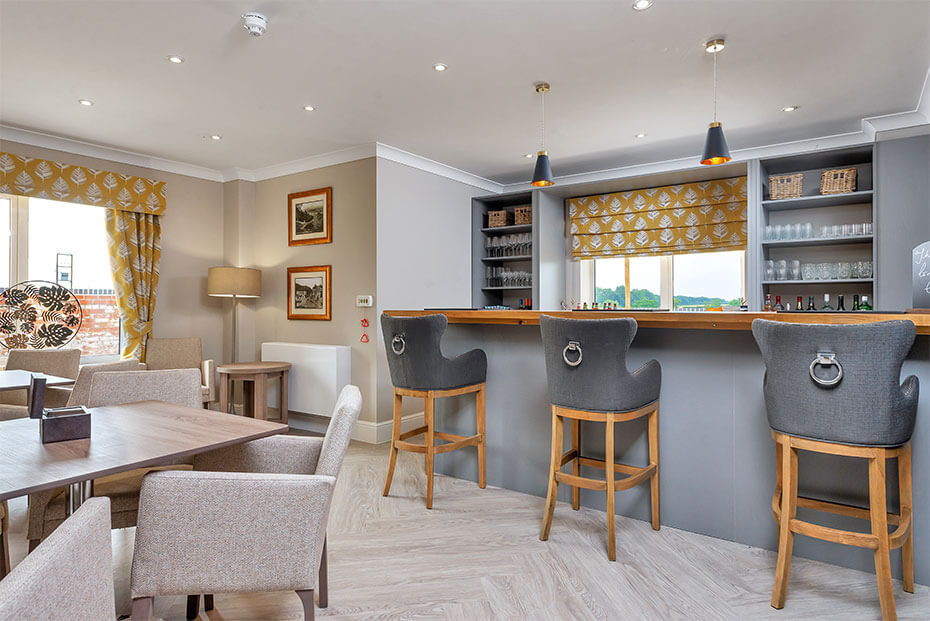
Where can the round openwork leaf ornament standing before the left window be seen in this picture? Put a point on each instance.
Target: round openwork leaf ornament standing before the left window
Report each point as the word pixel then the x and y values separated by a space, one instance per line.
pixel 37 314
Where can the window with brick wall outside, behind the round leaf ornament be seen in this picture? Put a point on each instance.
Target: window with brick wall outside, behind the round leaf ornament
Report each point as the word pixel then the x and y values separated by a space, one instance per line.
pixel 64 243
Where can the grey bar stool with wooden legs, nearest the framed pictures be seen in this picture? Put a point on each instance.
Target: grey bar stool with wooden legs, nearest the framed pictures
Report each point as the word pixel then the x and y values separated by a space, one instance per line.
pixel 418 369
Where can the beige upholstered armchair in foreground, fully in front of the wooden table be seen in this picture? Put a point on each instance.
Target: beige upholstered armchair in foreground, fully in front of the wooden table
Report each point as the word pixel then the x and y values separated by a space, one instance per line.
pixel 200 531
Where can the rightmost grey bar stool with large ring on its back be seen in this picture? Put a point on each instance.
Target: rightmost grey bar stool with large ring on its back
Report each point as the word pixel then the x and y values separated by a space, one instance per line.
pixel 834 389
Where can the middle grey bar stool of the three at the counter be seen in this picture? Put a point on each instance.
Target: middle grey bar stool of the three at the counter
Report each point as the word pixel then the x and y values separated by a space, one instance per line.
pixel 588 380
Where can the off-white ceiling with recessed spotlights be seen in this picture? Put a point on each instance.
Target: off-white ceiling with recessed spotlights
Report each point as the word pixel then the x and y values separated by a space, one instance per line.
pixel 367 67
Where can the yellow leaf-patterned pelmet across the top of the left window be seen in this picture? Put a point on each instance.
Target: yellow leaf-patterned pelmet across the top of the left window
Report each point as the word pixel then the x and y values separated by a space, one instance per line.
pixel 28 176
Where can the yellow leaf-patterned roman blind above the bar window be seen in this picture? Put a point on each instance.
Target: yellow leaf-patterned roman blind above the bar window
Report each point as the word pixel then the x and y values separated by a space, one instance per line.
pixel 708 216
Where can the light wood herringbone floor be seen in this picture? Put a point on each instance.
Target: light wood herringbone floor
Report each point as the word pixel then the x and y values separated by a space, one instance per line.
pixel 477 555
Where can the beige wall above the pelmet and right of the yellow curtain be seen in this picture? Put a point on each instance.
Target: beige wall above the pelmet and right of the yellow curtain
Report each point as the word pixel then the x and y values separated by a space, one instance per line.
pixel 192 241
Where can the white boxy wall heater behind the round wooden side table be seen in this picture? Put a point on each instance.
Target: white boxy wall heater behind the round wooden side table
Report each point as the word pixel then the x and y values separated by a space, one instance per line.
pixel 317 376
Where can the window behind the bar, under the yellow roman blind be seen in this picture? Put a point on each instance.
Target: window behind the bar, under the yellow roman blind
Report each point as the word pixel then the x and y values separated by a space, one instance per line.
pixel 678 282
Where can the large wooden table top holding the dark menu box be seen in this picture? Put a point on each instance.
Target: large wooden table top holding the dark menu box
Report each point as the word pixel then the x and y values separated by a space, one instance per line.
pixel 123 437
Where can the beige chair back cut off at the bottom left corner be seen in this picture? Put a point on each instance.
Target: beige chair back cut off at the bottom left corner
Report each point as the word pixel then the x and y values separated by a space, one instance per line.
pixel 70 576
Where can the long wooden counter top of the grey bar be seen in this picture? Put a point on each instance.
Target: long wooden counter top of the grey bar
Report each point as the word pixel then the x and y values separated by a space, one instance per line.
pixel 708 320
